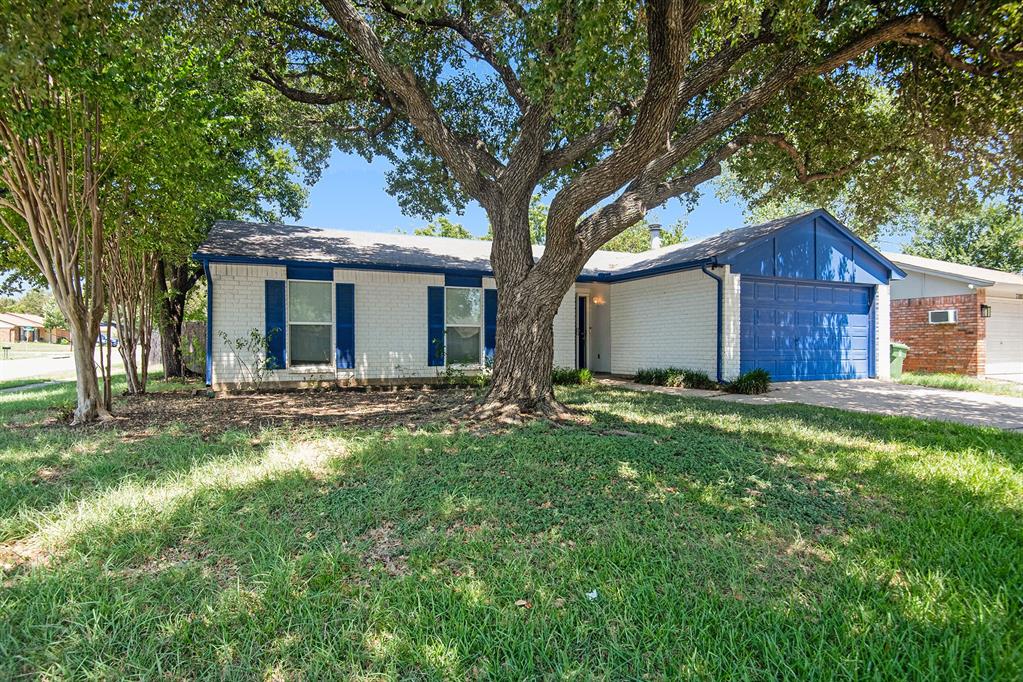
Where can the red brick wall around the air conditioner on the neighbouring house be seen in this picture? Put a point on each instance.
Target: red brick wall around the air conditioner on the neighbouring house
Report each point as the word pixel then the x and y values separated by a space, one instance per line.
pixel 942 348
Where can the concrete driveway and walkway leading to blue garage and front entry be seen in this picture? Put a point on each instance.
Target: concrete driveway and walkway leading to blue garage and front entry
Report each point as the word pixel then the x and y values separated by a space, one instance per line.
pixel 874 396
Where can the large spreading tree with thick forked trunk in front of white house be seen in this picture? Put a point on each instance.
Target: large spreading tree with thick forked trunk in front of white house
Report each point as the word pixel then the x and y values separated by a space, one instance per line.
pixel 615 108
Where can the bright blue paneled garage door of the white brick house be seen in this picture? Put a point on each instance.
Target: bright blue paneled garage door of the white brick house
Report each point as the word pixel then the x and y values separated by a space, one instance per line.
pixel 807 331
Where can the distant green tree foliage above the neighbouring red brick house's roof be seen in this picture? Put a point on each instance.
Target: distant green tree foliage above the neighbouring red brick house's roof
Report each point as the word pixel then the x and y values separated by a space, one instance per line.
pixel 991 238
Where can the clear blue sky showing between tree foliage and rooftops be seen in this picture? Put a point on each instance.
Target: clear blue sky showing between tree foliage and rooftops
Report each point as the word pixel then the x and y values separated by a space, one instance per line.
pixel 351 196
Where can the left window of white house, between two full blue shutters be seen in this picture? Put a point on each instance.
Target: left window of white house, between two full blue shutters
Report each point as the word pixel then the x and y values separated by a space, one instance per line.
pixel 309 323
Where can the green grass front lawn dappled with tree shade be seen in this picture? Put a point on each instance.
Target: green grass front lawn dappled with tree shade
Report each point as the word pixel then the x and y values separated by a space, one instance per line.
pixel 659 538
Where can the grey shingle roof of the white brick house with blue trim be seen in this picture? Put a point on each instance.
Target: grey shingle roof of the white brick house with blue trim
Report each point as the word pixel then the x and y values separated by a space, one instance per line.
pixel 269 243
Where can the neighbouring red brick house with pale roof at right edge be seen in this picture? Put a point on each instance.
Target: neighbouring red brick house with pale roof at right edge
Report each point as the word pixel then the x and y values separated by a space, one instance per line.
pixel 958 319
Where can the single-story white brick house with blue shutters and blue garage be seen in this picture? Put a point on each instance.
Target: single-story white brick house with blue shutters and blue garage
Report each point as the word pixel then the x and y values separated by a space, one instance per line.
pixel 802 297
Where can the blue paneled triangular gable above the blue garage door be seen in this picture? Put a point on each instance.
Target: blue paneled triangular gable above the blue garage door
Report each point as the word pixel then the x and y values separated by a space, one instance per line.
pixel 814 249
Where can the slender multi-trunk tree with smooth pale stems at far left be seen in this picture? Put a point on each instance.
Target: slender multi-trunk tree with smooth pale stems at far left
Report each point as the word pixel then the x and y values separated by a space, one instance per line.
pixel 125 129
